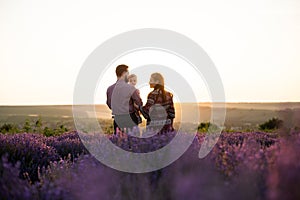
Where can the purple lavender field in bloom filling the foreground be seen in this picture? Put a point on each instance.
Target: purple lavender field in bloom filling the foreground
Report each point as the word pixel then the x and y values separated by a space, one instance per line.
pixel 254 165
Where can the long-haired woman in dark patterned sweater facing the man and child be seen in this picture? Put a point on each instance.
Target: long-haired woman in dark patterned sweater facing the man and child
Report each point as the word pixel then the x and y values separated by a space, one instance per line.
pixel 159 109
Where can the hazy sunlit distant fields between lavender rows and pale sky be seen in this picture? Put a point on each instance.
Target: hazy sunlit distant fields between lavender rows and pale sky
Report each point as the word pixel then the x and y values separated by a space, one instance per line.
pixel 238 115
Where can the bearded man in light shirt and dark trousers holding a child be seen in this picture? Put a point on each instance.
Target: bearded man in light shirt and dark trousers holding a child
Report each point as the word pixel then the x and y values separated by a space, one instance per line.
pixel 121 97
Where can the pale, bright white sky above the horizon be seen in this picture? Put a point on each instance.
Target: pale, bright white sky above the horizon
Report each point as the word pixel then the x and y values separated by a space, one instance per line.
pixel 254 45
